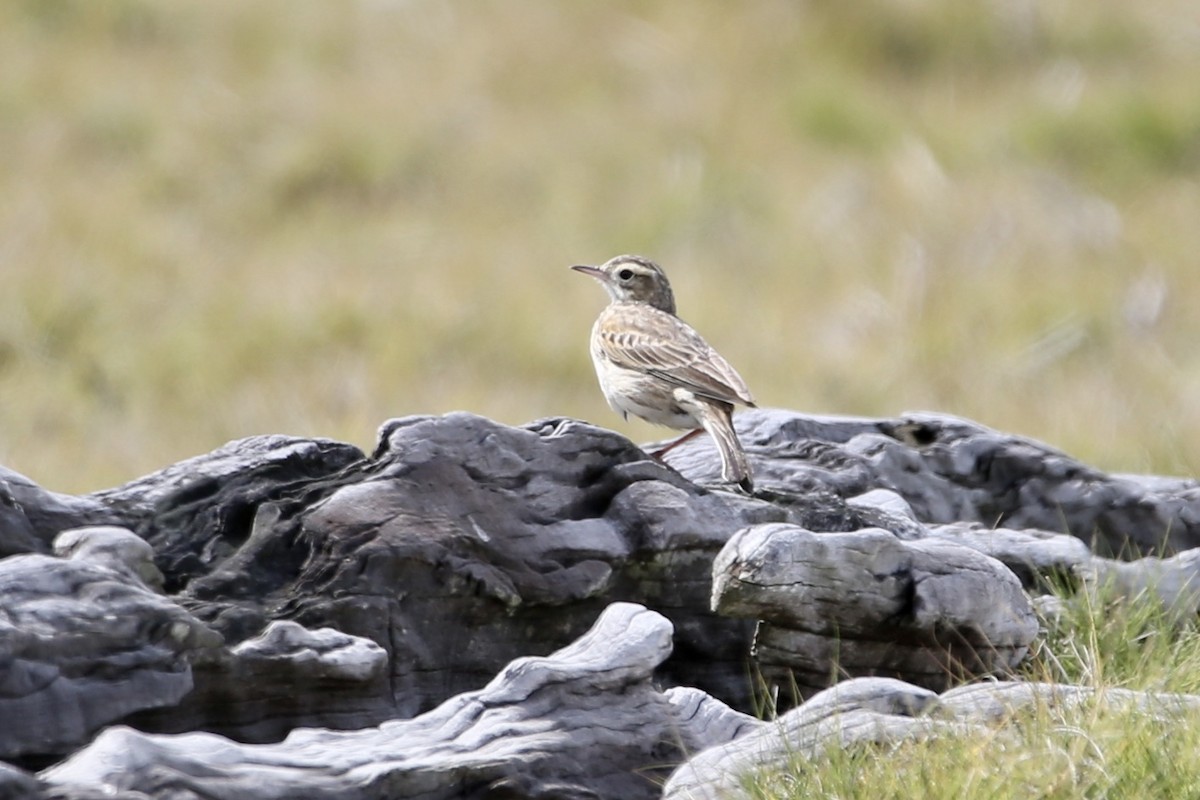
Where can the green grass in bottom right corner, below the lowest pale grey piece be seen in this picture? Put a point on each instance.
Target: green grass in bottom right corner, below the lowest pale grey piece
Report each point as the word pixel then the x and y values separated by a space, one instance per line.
pixel 1089 753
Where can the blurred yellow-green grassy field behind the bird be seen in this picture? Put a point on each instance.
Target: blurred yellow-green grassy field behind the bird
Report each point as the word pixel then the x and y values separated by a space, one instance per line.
pixel 225 219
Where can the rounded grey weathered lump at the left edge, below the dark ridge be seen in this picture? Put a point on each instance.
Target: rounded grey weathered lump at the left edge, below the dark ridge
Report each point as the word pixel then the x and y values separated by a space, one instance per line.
pixel 85 642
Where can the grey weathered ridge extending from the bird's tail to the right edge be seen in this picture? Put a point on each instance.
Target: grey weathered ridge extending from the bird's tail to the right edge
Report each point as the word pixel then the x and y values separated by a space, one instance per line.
pixel 953 471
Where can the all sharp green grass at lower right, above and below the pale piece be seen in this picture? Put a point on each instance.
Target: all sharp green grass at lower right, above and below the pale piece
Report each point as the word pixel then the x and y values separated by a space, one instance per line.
pixel 1099 749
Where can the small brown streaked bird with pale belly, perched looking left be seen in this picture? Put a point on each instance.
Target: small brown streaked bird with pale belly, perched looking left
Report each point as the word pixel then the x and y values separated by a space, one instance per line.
pixel 653 365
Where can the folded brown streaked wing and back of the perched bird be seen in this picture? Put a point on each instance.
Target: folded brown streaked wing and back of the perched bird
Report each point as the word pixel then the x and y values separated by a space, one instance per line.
pixel 664 346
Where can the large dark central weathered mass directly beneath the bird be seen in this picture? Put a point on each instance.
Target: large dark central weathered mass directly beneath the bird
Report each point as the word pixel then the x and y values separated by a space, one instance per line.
pixel 454 525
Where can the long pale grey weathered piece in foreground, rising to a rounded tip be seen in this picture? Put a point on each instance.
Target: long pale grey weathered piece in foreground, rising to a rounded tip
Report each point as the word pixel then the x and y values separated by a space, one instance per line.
pixel 583 723
